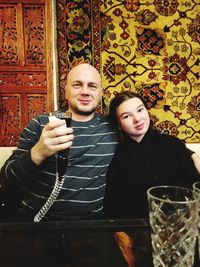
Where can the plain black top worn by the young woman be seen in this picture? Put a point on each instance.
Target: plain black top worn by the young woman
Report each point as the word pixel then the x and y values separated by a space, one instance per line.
pixel 158 159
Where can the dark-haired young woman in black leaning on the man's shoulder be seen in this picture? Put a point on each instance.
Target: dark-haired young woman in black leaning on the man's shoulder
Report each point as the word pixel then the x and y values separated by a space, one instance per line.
pixel 144 158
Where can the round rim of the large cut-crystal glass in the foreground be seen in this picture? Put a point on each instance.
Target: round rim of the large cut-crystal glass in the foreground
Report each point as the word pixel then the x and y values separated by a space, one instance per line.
pixel 193 200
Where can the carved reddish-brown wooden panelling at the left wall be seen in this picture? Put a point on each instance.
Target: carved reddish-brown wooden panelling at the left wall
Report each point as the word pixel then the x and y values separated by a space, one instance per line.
pixel 26 82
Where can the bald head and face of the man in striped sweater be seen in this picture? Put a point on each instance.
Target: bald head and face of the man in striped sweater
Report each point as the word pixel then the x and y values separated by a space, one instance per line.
pixel 83 90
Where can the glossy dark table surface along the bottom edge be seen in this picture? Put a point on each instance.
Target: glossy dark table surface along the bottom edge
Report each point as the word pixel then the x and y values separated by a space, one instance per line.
pixel 80 243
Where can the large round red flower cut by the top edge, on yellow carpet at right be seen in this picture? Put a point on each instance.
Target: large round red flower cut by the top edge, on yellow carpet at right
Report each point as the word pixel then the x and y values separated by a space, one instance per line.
pixel 166 7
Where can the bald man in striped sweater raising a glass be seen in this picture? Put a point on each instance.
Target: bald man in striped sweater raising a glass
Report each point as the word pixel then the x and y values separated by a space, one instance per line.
pixel 32 167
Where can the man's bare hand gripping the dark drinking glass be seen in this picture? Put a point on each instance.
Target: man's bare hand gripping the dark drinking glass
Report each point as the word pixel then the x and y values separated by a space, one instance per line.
pixel 54 138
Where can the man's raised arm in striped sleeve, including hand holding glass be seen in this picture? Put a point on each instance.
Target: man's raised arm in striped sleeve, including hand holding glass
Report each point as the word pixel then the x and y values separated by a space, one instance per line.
pixel 38 141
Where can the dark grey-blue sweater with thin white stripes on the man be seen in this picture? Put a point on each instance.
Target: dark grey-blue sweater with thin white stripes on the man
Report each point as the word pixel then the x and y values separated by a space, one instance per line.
pixel 82 193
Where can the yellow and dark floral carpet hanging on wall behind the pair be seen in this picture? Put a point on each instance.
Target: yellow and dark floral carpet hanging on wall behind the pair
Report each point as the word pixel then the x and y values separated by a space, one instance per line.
pixel 151 47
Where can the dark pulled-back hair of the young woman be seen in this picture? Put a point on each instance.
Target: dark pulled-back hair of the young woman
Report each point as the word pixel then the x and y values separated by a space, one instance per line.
pixel 115 103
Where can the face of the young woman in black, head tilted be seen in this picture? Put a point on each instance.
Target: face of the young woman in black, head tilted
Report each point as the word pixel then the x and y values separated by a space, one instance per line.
pixel 133 118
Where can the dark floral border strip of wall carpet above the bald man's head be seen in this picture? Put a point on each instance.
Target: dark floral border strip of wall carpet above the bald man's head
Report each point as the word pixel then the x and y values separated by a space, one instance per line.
pixel 78 38
